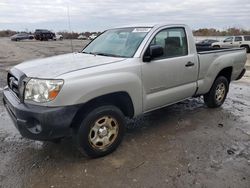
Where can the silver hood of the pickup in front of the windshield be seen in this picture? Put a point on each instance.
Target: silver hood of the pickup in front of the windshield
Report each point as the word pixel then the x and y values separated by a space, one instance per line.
pixel 52 67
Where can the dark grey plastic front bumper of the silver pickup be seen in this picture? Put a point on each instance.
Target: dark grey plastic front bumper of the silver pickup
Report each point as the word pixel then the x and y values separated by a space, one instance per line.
pixel 39 122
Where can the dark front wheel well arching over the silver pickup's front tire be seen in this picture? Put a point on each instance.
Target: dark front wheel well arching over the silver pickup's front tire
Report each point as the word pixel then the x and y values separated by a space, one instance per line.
pixel 121 100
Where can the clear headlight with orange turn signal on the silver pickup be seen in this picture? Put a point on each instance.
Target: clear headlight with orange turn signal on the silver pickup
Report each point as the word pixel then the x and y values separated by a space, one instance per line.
pixel 39 90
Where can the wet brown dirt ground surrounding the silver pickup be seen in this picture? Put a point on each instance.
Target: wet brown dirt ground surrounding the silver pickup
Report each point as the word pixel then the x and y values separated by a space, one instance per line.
pixel 183 145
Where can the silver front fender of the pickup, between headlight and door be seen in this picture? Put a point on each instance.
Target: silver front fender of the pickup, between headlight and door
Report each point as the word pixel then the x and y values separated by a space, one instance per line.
pixel 82 90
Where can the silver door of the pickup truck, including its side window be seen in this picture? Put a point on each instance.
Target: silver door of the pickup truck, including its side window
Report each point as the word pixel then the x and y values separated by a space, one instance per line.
pixel 172 76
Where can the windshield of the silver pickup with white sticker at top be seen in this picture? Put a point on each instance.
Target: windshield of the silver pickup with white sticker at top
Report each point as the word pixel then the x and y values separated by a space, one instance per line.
pixel 117 42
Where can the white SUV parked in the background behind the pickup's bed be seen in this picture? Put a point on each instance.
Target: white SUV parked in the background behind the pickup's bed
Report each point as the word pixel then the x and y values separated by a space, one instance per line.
pixel 233 42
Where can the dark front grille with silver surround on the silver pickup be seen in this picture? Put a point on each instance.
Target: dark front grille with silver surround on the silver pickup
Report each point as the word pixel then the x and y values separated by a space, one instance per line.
pixel 15 80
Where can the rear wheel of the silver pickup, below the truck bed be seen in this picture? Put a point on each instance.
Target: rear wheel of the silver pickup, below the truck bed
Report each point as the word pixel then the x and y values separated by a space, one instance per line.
pixel 218 93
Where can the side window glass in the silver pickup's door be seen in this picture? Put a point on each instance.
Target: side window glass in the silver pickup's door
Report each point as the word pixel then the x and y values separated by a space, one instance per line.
pixel 173 41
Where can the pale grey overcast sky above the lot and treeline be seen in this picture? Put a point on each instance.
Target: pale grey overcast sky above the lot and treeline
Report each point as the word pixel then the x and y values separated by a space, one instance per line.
pixel 97 15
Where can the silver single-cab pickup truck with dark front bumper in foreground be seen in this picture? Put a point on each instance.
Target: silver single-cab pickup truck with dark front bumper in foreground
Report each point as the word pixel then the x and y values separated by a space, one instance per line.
pixel 124 72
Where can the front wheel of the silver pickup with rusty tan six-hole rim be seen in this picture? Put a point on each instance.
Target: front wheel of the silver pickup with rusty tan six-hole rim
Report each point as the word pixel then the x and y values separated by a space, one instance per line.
pixel 102 124
